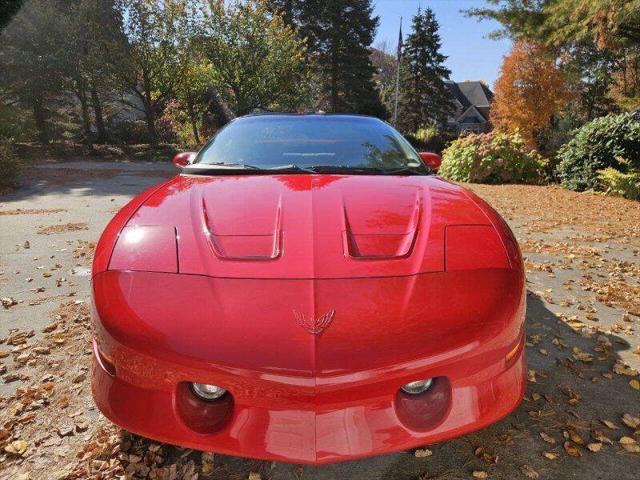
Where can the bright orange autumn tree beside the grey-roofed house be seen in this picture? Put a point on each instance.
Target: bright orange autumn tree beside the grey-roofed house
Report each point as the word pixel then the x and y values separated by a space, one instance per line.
pixel 530 90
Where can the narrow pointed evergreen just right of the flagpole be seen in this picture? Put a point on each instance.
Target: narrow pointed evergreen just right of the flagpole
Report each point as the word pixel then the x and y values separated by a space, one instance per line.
pixel 425 98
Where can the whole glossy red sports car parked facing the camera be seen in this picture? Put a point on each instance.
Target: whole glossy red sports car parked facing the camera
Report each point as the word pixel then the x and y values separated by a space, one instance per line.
pixel 307 290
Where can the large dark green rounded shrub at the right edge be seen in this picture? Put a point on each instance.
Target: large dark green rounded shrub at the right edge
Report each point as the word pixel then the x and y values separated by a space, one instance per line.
pixel 597 145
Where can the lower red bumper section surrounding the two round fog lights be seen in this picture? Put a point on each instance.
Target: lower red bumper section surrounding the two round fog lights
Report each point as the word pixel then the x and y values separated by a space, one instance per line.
pixel 308 432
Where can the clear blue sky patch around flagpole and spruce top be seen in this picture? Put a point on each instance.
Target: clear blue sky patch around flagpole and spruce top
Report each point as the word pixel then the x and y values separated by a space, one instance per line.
pixel 472 56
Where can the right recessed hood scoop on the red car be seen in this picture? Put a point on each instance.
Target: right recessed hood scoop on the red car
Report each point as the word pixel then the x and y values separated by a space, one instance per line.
pixel 386 230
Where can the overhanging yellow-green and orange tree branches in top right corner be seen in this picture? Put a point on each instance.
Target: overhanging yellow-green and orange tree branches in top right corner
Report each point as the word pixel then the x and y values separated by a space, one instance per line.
pixel 608 29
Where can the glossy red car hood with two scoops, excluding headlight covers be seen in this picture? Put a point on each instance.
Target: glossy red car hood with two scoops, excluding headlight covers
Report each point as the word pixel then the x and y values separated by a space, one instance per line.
pixel 308 226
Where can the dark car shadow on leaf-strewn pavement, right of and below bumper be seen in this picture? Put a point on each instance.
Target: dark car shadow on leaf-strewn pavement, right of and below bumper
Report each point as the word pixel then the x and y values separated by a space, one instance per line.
pixel 572 393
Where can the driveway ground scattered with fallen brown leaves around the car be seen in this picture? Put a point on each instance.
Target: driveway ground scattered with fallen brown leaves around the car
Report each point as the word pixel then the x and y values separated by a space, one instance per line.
pixel 580 417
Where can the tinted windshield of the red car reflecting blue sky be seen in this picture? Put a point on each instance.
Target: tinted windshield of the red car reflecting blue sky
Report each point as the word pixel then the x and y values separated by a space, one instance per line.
pixel 311 142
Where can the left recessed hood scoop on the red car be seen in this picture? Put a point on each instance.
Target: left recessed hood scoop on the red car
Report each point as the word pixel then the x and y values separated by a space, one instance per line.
pixel 260 241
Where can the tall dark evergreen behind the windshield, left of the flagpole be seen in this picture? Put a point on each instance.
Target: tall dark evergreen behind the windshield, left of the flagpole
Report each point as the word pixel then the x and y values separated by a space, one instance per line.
pixel 339 34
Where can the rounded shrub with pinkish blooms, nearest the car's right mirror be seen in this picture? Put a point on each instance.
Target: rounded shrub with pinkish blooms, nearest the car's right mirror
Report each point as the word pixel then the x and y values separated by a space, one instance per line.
pixel 491 158
